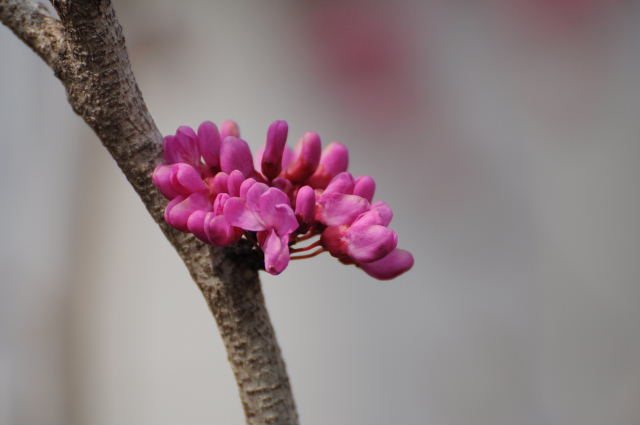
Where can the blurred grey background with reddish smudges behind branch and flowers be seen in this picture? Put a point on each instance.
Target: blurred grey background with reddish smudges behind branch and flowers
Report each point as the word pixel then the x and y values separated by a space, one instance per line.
pixel 503 133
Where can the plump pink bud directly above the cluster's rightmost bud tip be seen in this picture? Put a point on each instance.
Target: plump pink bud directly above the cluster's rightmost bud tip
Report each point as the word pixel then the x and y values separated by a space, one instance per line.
pixel 370 243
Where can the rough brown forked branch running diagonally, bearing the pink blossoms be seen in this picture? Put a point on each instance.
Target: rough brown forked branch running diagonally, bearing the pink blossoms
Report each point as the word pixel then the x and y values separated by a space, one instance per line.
pixel 86 50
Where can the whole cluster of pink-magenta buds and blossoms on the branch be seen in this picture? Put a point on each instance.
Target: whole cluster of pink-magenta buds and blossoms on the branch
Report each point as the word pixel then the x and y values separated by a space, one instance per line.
pixel 217 193
